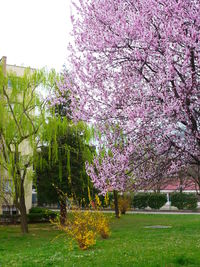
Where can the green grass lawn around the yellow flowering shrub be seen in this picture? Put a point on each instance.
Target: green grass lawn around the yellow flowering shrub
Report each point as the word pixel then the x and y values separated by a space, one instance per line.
pixel 129 245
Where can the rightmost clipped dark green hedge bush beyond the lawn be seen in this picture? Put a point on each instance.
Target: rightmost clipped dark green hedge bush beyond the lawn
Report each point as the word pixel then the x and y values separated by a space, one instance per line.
pixel 184 201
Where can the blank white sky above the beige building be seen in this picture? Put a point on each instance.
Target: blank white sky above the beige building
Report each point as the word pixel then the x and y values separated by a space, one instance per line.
pixel 35 33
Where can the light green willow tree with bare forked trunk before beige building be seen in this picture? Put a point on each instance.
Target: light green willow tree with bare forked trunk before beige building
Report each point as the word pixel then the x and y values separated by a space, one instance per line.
pixel 22 115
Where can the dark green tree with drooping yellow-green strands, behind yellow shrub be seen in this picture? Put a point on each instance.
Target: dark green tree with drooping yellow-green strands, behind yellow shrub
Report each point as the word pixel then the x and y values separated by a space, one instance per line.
pixel 60 164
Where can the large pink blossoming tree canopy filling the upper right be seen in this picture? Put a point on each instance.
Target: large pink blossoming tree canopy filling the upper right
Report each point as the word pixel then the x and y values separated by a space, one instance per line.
pixel 136 64
